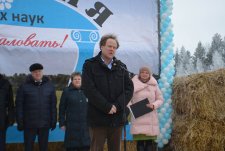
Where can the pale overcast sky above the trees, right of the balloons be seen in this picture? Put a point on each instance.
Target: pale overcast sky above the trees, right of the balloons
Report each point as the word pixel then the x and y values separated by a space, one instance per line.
pixel 197 20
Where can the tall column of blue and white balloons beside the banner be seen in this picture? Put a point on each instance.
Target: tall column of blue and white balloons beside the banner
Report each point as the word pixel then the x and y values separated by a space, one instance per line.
pixel 167 72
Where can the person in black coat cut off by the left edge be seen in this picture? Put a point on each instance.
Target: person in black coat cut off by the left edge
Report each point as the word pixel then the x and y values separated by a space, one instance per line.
pixel 7 115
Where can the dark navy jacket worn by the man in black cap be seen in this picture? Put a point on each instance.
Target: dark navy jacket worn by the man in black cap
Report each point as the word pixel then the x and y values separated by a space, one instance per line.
pixel 36 104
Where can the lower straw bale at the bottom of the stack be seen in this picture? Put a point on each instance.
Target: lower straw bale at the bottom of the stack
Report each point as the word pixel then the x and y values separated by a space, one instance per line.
pixel 197 135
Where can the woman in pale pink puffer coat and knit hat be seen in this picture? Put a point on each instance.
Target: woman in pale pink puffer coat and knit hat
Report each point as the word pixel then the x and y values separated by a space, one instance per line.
pixel 146 128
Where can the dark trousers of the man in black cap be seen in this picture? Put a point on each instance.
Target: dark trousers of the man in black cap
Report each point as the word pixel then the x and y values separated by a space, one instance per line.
pixel 30 135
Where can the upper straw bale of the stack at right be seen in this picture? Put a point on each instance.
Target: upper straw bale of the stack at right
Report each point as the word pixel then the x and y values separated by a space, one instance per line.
pixel 201 96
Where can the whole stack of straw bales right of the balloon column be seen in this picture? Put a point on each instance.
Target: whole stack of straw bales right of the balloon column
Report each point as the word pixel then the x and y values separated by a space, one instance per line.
pixel 199 112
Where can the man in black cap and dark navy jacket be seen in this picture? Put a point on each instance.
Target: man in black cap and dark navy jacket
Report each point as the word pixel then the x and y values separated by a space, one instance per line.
pixel 36 108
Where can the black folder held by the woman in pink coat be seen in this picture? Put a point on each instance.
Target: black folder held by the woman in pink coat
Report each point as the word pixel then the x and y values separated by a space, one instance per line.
pixel 138 109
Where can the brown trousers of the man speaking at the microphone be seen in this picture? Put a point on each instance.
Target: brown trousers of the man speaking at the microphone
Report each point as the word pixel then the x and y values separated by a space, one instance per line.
pixel 100 134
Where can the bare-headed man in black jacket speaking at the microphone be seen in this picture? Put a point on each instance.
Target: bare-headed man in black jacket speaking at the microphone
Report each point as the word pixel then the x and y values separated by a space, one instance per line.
pixel 108 88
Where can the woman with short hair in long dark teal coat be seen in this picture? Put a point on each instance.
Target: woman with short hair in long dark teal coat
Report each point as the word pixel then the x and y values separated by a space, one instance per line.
pixel 72 116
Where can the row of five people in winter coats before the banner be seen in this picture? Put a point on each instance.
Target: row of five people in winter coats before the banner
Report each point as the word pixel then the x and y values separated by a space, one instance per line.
pixel 92 109
